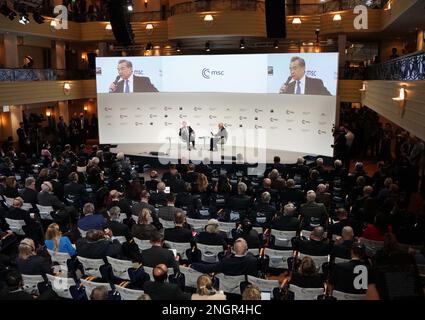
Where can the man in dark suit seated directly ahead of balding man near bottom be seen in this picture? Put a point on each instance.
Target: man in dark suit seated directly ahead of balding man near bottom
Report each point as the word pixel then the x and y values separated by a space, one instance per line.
pixel 157 254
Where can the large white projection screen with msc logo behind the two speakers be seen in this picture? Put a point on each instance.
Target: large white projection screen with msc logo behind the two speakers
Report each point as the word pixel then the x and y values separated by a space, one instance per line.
pixel 281 102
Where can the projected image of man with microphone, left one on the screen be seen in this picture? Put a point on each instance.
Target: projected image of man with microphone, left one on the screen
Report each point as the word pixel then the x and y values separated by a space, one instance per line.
pixel 127 82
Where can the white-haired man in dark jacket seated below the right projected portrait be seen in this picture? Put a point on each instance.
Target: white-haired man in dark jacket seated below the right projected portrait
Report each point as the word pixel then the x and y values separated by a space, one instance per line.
pixel 313 214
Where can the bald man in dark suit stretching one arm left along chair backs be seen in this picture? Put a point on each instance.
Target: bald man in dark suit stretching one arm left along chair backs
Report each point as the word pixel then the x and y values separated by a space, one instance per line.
pixel 240 263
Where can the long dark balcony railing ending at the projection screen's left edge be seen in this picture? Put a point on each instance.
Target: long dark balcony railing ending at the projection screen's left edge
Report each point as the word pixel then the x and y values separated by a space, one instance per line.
pixel 11 75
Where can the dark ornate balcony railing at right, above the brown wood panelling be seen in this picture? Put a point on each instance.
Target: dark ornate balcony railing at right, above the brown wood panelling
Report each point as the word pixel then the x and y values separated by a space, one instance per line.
pixel 406 68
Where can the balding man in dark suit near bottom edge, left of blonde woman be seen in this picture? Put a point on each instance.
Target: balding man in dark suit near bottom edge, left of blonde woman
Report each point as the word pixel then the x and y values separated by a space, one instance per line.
pixel 161 290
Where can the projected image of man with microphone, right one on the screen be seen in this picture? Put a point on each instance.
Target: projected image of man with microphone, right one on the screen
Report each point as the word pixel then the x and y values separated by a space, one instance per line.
pixel 298 83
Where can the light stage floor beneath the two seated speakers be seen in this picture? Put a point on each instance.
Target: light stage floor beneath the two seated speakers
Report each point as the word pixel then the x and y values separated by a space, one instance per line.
pixel 172 153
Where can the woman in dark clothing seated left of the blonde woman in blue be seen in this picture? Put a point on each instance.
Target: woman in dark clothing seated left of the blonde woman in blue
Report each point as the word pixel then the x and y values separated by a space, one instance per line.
pixel 29 262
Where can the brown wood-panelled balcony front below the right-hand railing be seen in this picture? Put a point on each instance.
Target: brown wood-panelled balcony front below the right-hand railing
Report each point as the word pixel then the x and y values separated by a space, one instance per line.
pixel 378 97
